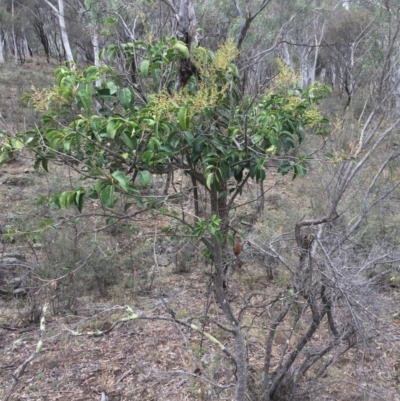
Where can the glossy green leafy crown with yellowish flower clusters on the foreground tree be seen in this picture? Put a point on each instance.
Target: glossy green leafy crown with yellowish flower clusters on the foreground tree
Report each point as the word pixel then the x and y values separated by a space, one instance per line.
pixel 118 137
